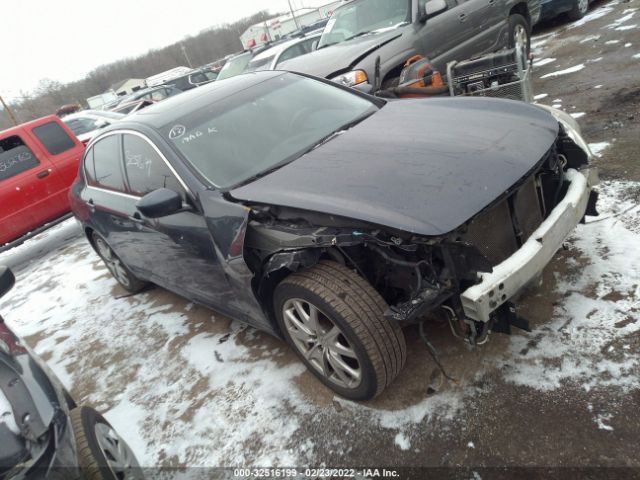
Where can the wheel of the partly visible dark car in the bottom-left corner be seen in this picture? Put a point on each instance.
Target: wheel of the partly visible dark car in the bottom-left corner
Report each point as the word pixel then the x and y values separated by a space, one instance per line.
pixel 102 454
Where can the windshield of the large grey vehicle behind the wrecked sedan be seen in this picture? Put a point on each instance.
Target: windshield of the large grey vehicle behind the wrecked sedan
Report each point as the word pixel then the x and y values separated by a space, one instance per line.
pixel 364 16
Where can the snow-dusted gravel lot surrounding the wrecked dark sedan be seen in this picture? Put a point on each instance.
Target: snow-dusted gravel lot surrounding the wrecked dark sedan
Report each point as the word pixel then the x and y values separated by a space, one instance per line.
pixel 186 386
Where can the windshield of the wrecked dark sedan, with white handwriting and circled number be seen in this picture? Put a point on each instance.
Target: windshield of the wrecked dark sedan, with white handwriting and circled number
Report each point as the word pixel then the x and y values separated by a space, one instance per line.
pixel 263 127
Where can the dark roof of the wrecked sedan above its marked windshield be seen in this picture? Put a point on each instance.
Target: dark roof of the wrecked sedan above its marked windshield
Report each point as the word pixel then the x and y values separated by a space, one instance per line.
pixel 162 113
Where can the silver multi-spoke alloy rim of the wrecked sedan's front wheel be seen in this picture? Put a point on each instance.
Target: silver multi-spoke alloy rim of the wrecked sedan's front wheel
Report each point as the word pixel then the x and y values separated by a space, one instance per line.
pixel 322 343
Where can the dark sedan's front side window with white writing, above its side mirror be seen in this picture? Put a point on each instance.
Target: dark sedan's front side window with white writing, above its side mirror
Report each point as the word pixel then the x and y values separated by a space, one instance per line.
pixel 146 169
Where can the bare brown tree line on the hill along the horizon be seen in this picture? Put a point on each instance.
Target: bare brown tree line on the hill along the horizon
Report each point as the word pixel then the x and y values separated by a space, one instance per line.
pixel 205 47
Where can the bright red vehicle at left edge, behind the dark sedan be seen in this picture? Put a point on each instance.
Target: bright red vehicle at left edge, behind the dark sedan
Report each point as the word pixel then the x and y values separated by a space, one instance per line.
pixel 38 163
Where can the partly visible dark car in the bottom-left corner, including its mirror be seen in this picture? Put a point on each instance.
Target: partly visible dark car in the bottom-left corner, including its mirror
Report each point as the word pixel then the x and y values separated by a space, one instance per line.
pixel 43 433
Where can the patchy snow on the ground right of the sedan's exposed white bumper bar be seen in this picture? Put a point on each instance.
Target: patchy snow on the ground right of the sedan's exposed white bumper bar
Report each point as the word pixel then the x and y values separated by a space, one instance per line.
pixel 599 309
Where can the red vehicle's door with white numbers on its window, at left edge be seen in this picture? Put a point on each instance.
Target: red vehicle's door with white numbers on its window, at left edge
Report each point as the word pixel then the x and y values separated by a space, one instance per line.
pixel 27 182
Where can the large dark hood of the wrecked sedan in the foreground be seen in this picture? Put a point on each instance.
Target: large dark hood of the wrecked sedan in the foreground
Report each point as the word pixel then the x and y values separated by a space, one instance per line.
pixel 421 166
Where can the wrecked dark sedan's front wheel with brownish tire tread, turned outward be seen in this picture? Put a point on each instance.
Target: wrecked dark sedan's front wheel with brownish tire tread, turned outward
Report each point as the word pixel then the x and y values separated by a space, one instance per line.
pixel 350 329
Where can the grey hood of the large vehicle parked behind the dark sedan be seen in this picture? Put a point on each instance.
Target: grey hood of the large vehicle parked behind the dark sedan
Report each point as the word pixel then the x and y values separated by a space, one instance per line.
pixel 340 57
